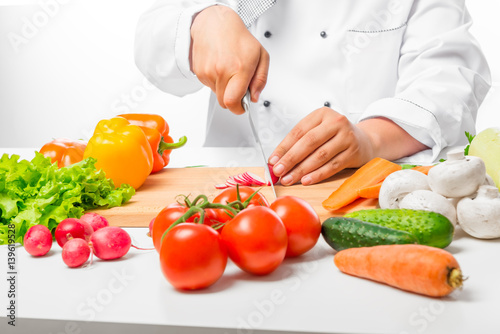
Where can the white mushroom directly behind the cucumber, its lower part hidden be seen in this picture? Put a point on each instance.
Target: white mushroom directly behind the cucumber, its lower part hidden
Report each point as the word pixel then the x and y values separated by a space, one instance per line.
pixel 430 201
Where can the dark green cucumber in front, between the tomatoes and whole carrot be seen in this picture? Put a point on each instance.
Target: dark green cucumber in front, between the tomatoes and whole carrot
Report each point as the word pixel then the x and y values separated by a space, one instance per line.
pixel 342 233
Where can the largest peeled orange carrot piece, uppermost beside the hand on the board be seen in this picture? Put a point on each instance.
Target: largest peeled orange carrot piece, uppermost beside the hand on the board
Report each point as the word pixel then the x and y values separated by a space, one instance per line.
pixel 374 171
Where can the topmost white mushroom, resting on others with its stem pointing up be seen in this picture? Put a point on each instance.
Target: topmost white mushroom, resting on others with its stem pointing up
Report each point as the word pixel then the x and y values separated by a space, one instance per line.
pixel 459 176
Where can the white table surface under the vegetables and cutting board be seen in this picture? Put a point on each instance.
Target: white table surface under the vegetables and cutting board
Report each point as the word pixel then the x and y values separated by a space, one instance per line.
pixel 306 294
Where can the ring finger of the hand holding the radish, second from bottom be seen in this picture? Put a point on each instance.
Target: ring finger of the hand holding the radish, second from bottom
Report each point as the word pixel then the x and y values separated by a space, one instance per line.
pixel 321 156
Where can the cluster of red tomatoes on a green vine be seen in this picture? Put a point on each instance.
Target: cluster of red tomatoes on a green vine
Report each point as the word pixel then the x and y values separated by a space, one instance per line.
pixel 196 238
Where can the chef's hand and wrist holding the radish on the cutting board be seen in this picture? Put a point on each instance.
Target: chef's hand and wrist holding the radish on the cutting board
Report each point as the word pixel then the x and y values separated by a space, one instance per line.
pixel 325 142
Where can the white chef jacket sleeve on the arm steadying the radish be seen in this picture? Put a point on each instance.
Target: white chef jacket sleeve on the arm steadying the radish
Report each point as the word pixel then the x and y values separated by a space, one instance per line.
pixel 443 77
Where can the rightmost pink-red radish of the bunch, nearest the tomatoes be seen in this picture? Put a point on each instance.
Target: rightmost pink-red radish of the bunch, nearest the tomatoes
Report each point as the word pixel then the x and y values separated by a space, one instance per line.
pixel 110 243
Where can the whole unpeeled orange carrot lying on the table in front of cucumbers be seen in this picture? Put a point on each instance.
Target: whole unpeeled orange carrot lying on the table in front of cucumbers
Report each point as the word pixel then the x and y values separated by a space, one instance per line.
pixel 421 269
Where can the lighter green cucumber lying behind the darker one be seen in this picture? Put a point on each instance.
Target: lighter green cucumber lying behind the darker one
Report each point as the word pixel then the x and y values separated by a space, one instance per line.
pixel 430 228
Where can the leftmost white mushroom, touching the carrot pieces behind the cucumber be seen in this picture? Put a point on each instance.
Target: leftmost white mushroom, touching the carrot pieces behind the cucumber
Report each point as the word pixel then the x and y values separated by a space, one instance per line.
pixel 398 184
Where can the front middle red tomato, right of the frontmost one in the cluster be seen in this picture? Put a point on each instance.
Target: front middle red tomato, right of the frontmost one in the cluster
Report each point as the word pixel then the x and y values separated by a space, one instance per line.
pixel 256 240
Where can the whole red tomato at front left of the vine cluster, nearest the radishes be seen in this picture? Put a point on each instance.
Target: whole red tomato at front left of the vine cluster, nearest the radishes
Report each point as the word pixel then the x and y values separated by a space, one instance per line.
pixel 192 256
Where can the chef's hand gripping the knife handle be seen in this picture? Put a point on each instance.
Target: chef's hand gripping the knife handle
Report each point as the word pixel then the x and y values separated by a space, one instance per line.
pixel 227 58
